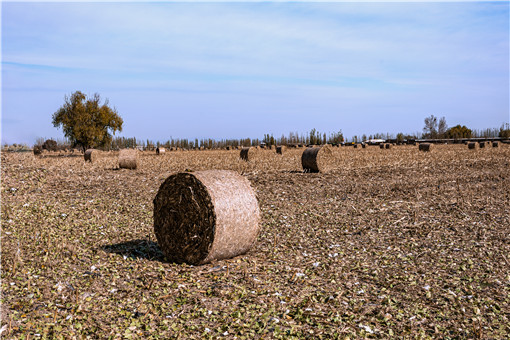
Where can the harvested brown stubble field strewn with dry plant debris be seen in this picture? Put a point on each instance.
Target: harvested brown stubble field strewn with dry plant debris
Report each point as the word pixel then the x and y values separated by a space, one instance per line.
pixel 392 243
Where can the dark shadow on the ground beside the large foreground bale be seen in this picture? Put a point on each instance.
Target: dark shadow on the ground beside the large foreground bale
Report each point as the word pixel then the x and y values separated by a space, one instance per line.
pixel 143 249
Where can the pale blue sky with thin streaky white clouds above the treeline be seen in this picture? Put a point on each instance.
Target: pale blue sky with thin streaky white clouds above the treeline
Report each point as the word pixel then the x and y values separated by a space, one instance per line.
pixel 244 69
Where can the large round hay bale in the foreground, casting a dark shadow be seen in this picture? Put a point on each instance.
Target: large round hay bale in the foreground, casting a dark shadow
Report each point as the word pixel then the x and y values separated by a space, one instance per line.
pixel 205 215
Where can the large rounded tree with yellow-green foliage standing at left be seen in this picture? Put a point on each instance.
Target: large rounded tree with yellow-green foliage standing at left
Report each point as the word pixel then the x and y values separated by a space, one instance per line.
pixel 87 123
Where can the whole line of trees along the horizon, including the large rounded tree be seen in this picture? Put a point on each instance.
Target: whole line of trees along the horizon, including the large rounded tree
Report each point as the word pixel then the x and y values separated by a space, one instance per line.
pixel 88 123
